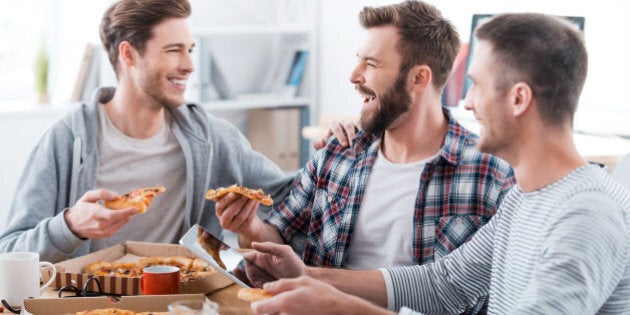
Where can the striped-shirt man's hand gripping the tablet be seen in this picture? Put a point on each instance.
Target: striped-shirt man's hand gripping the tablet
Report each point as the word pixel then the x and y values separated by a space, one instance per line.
pixel 272 261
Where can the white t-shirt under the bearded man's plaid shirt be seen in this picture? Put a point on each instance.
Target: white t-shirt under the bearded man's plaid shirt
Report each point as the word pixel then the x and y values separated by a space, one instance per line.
pixel 383 235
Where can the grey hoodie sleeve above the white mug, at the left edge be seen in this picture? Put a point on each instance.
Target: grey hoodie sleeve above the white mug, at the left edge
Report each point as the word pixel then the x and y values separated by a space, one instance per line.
pixel 36 222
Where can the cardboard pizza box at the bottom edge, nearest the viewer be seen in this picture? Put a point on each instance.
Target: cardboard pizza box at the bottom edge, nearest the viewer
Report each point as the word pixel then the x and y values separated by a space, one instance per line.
pixel 151 303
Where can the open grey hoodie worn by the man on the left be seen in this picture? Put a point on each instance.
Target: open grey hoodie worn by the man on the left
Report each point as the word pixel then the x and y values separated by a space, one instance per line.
pixel 63 166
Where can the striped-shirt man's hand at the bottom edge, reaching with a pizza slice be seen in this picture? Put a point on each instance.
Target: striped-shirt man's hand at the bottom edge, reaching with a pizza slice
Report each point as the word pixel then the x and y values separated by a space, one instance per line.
pixel 305 295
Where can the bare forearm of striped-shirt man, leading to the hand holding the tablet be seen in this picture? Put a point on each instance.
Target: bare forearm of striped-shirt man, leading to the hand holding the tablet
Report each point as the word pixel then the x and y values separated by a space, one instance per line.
pixel 369 285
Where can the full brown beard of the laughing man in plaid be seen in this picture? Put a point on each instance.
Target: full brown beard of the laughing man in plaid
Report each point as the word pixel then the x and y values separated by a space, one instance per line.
pixel 392 104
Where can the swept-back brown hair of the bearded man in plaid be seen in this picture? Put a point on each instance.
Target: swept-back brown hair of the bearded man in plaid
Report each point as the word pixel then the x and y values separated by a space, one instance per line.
pixel 425 36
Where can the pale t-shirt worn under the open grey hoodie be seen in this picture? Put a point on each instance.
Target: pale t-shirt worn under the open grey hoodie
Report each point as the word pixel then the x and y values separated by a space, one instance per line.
pixel 127 163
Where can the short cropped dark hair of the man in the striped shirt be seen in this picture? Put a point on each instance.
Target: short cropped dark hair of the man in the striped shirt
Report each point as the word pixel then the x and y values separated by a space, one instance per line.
pixel 543 51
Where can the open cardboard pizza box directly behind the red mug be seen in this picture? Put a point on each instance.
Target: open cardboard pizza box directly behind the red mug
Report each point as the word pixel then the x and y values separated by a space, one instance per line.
pixel 70 272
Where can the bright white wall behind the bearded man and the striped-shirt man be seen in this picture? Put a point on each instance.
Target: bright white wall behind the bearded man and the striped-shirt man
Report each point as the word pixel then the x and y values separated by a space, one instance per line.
pixel 605 36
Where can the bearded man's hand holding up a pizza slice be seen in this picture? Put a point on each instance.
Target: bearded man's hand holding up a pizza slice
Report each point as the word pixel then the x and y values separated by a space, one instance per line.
pixel 238 214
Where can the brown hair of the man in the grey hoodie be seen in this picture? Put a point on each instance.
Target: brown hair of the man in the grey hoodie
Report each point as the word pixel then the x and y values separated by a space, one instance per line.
pixel 133 21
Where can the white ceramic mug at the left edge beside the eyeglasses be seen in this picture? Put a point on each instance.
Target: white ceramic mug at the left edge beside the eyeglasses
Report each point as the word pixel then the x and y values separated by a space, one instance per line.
pixel 20 274
